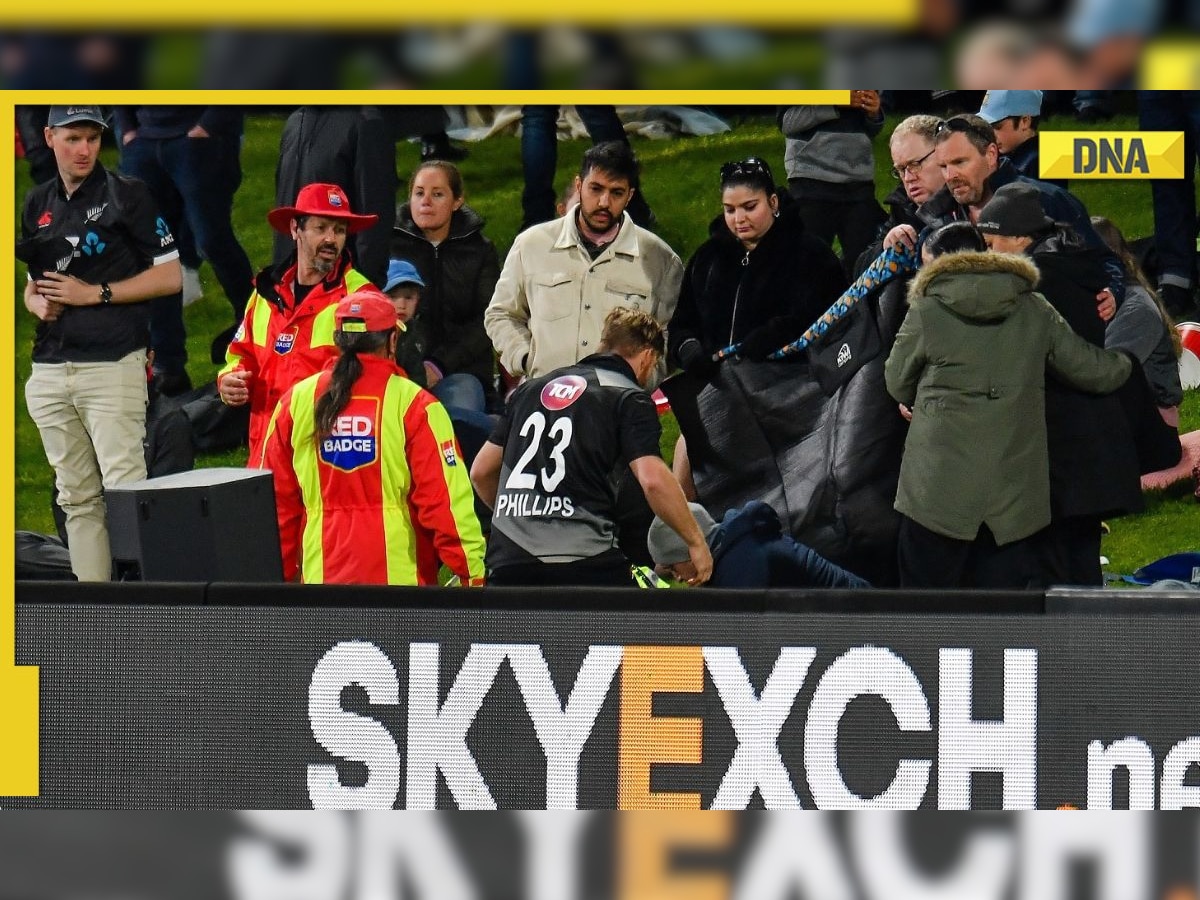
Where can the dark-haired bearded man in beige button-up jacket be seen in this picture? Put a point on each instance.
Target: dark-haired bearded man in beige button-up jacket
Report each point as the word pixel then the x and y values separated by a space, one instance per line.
pixel 563 278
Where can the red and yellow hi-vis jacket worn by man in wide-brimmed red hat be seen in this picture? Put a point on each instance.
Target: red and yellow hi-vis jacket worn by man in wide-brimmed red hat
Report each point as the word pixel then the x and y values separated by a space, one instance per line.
pixel 280 341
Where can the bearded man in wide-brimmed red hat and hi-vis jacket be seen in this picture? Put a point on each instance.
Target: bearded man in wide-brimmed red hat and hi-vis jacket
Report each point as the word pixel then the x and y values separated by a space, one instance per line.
pixel 289 331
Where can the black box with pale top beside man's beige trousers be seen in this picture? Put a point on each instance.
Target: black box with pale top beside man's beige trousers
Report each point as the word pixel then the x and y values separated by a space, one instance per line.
pixel 205 525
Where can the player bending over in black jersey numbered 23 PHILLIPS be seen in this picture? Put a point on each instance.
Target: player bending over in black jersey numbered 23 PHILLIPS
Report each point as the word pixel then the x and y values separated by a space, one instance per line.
pixel 551 469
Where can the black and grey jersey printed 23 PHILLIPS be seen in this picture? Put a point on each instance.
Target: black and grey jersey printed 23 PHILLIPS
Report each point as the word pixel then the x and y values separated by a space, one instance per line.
pixel 568 437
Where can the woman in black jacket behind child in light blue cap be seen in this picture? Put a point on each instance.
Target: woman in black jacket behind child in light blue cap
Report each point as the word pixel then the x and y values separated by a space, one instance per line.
pixel 445 238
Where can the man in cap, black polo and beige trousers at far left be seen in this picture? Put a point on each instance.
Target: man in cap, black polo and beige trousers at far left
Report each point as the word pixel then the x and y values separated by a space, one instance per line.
pixel 97 250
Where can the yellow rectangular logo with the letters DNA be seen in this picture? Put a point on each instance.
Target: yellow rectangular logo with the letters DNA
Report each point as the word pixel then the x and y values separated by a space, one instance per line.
pixel 1112 154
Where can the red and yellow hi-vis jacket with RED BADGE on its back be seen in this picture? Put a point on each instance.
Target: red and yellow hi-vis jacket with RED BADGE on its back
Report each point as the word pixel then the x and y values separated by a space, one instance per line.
pixel 380 500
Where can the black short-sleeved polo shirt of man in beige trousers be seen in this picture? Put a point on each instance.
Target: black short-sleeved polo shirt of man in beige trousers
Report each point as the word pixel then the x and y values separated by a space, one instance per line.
pixel 110 230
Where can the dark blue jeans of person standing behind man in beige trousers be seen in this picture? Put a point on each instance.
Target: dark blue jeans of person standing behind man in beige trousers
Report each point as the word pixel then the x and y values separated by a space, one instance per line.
pixel 194 182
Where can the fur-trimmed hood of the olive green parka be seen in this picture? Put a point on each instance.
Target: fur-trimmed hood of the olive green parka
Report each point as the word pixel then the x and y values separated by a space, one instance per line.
pixel 977 286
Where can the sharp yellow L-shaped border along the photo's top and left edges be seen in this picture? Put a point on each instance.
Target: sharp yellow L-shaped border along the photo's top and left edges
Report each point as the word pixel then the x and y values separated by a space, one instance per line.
pixel 20 685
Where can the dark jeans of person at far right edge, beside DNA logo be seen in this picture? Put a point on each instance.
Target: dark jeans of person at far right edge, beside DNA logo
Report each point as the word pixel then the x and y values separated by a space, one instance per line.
pixel 1175 201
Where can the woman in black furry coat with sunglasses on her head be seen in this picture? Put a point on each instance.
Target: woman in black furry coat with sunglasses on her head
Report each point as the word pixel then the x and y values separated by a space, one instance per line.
pixel 760 279
